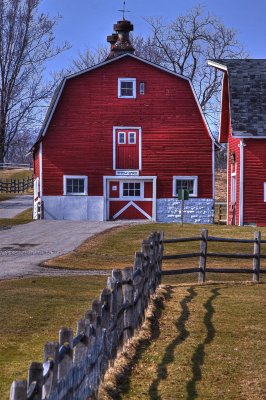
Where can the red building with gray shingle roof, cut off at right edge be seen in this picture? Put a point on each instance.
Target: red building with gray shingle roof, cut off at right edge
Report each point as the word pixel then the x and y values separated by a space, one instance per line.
pixel 243 127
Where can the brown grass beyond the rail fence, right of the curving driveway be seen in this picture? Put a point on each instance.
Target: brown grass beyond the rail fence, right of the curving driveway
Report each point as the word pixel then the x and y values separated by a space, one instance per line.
pixel 117 247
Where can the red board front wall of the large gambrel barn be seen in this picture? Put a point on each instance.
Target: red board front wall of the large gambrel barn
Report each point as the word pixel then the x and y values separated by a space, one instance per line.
pixel 79 140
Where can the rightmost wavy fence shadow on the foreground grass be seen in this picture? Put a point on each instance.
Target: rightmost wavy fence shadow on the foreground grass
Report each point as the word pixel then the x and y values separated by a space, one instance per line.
pixel 199 354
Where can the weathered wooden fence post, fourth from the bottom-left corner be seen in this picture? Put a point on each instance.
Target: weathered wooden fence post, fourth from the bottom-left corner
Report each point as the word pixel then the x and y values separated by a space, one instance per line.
pixel 65 339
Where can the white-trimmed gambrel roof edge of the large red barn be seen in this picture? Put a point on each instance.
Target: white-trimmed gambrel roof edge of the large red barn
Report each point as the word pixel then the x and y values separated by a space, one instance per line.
pixel 58 91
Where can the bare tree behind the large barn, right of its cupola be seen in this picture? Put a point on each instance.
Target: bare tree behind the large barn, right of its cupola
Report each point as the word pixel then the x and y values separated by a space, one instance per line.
pixel 185 45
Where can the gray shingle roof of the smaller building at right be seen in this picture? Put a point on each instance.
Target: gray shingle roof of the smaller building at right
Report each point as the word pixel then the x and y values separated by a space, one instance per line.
pixel 247 91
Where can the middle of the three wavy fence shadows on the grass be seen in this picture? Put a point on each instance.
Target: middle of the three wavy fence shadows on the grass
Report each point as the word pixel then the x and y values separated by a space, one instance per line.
pixel 168 357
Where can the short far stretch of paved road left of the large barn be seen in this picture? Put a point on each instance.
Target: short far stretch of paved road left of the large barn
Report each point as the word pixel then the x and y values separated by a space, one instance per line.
pixel 10 208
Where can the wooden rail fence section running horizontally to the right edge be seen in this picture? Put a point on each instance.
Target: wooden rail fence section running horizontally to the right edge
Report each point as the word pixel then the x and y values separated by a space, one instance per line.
pixel 203 255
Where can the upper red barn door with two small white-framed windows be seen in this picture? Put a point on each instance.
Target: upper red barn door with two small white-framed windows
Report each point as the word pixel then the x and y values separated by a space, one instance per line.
pixel 127 149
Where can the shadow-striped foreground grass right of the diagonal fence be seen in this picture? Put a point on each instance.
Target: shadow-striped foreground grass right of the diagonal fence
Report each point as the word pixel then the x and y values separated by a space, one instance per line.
pixel 209 343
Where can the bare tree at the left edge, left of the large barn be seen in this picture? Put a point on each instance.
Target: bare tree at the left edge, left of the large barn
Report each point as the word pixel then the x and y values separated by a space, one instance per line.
pixel 26 43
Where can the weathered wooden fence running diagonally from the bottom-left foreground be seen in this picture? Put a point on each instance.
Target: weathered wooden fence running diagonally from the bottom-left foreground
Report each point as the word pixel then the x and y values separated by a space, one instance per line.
pixel 74 367
